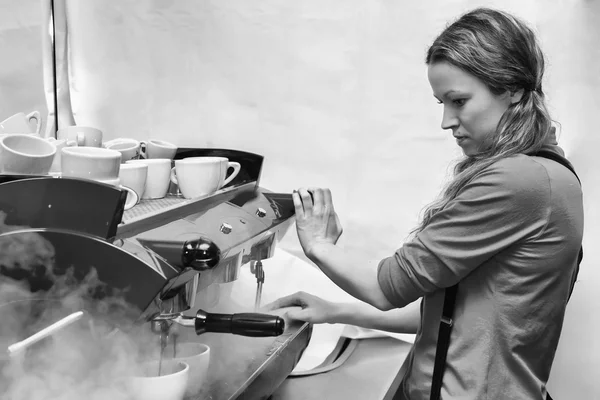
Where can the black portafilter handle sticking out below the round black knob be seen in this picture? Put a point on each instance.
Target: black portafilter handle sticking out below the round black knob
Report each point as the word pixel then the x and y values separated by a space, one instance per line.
pixel 244 324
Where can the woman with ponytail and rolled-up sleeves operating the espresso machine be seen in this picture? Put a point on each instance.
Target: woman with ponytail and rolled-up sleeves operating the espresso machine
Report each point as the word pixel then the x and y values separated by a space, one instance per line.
pixel 507 229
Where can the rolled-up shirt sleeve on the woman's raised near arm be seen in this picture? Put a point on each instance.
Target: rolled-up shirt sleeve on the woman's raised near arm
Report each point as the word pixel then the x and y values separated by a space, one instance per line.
pixel 506 203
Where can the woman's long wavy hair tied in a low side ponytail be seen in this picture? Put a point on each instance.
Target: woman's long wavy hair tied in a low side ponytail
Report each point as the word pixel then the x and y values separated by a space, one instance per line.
pixel 502 52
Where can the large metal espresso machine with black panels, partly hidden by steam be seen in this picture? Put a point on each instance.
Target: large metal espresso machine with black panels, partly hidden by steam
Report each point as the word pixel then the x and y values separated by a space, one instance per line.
pixel 160 256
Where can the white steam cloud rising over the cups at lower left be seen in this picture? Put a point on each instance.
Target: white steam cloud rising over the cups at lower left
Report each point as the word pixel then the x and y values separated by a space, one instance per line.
pixel 89 359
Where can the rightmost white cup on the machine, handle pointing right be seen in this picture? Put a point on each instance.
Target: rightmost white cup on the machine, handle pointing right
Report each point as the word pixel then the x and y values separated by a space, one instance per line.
pixel 202 176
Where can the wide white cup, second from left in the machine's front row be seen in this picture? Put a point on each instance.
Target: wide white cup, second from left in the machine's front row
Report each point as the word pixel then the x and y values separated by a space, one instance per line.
pixel 90 163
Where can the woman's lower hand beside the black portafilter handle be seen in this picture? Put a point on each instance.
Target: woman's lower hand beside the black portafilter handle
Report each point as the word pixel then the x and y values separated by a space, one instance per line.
pixel 312 309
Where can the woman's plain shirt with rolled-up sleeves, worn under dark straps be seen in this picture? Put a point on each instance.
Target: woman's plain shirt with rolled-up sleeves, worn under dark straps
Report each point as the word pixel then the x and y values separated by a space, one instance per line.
pixel 510 239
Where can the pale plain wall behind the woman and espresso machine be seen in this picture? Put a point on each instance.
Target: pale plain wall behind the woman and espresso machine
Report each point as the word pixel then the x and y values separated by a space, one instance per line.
pixel 333 93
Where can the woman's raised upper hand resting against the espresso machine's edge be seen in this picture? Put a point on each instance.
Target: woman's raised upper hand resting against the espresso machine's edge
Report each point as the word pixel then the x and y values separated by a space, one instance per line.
pixel 316 219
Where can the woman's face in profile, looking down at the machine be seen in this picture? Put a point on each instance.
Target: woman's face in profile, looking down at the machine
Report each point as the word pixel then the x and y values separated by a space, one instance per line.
pixel 471 110
